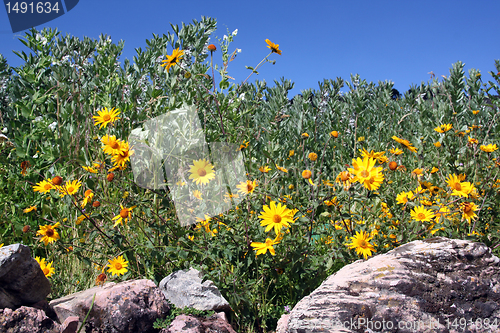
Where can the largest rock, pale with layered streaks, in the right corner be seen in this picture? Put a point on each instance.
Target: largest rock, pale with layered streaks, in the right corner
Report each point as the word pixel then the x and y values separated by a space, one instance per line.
pixel 434 285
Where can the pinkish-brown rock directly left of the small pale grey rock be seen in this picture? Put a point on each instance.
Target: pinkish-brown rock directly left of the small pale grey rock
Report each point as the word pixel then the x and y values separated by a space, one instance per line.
pixel 131 306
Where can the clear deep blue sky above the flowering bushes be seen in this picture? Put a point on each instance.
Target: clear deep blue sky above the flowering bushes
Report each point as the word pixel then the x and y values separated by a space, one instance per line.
pixel 400 41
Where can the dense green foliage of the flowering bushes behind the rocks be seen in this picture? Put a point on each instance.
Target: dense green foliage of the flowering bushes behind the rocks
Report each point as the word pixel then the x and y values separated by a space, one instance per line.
pixel 47 109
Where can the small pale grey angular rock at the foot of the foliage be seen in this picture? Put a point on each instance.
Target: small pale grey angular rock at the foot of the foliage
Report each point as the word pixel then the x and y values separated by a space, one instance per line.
pixel 184 288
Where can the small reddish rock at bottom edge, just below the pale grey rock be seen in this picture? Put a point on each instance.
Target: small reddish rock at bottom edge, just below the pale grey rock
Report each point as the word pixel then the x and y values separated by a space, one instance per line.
pixel 190 324
